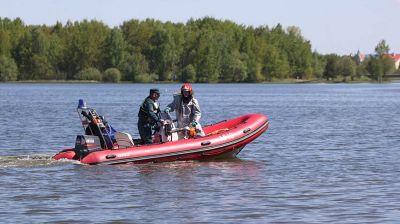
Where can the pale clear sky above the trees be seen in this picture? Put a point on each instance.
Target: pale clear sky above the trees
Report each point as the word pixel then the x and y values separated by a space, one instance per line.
pixel 331 26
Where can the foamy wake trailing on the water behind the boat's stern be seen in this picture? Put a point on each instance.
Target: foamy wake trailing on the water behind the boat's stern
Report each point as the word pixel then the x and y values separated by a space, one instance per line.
pixel 38 160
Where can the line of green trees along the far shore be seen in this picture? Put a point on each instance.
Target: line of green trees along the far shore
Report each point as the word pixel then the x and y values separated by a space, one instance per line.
pixel 202 50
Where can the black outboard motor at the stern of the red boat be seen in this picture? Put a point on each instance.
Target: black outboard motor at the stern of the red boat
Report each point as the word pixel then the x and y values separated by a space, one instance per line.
pixel 85 144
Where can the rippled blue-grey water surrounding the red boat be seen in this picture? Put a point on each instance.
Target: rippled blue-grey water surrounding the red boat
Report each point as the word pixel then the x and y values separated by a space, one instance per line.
pixel 331 155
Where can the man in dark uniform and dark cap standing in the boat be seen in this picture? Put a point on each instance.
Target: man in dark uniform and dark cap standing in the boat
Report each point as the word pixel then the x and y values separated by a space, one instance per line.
pixel 148 116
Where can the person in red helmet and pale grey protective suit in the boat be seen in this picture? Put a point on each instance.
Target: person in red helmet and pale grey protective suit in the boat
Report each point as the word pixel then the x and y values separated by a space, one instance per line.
pixel 187 109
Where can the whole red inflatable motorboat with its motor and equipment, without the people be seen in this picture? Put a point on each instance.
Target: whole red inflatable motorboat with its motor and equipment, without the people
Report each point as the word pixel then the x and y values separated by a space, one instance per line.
pixel 226 138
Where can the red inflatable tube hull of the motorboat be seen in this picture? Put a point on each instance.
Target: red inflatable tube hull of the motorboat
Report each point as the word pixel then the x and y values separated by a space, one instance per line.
pixel 224 139
